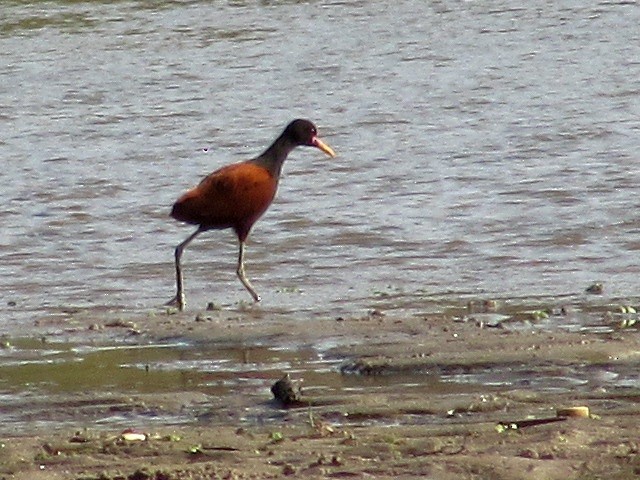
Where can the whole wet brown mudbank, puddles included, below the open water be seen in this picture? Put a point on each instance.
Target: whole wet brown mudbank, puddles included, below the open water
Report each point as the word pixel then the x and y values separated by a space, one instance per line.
pixel 472 391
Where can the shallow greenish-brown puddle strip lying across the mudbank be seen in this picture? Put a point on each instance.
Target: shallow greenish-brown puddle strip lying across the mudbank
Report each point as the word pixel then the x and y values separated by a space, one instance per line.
pixel 54 385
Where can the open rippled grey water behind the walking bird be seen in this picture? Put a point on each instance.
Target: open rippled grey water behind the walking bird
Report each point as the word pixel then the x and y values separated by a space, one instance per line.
pixel 481 150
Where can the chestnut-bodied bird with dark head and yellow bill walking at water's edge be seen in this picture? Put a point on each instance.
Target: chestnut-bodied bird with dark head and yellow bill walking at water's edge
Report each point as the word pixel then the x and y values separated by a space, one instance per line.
pixel 237 195
